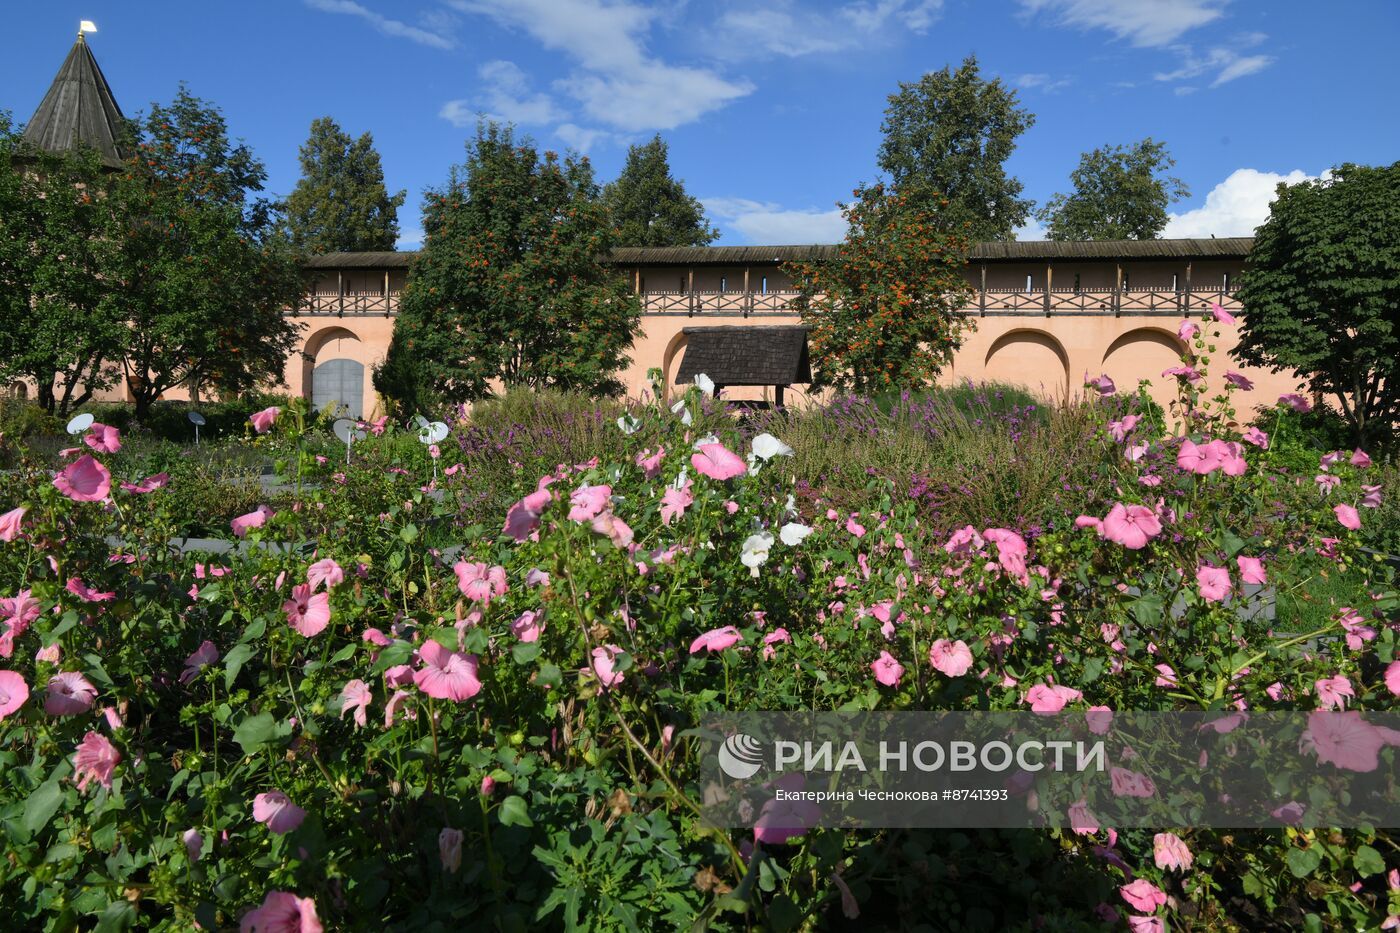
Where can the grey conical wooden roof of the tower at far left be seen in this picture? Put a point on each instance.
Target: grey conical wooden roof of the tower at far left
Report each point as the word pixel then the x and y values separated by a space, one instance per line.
pixel 79 110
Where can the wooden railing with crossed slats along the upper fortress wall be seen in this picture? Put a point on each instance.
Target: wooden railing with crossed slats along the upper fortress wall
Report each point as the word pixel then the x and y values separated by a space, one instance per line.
pixel 1020 302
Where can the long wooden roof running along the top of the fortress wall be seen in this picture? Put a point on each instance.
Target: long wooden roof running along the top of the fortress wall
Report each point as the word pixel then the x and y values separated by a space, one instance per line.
pixel 997 251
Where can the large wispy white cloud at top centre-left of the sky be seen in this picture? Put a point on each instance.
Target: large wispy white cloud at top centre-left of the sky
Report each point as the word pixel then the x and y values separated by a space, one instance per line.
pixel 617 82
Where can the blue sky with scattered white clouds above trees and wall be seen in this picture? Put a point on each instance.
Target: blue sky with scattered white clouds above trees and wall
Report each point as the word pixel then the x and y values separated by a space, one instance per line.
pixel 772 107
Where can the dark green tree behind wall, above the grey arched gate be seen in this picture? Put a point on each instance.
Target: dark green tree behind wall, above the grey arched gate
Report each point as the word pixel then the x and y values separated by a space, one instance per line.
pixel 341 202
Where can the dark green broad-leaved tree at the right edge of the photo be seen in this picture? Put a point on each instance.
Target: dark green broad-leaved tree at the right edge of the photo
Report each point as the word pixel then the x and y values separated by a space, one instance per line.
pixel 1322 293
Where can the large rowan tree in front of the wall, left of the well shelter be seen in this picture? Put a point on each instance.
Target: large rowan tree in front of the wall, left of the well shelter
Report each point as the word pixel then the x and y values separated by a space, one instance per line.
pixel 513 282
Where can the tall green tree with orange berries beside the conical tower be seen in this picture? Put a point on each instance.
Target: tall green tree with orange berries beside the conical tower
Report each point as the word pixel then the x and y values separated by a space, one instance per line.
pixel 204 277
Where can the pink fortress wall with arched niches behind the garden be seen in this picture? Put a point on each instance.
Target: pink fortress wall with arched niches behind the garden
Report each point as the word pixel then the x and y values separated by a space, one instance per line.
pixel 1087 331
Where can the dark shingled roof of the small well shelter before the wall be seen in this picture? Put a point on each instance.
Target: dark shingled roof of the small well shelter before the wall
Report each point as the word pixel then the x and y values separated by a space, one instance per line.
pixel 747 357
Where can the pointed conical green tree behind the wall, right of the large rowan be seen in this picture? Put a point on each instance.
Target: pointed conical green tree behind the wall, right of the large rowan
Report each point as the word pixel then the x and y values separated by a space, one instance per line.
pixel 650 208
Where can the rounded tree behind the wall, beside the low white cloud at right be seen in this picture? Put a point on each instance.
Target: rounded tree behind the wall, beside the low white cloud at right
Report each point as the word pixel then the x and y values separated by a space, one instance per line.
pixel 1121 193
